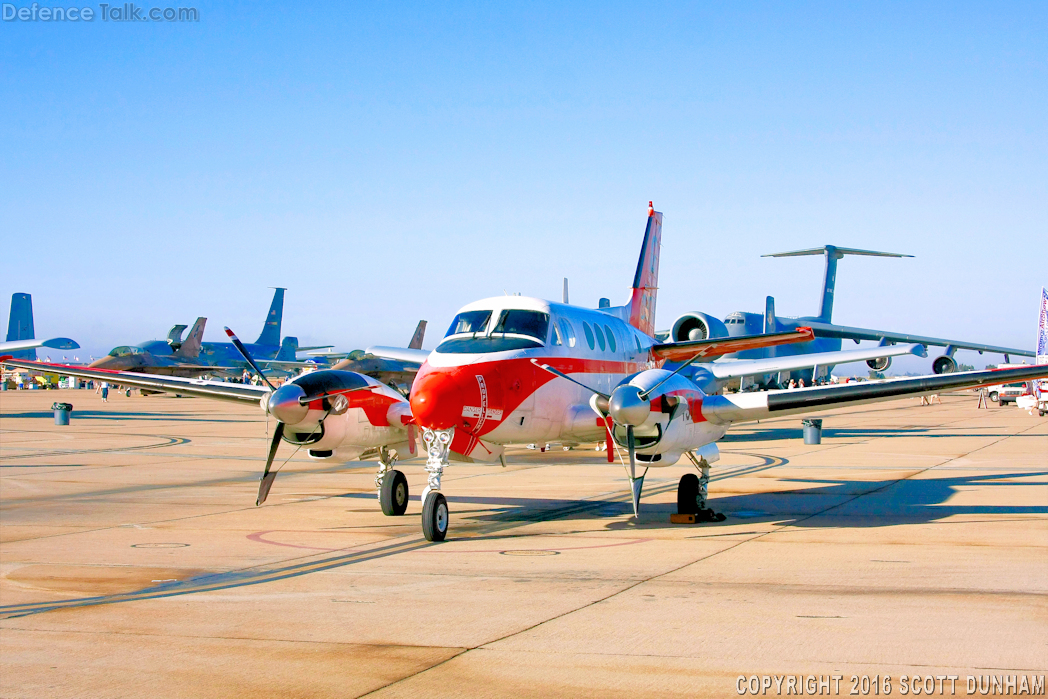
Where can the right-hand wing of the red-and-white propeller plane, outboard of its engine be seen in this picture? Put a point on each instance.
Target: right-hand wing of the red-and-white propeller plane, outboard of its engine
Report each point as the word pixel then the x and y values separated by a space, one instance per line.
pixel 746 407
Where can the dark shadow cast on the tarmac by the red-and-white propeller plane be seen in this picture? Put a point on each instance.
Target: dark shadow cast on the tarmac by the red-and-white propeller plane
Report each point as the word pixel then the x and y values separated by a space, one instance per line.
pixel 827 504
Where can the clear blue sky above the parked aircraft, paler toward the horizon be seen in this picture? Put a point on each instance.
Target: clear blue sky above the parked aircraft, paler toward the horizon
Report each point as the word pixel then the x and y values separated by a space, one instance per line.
pixel 389 163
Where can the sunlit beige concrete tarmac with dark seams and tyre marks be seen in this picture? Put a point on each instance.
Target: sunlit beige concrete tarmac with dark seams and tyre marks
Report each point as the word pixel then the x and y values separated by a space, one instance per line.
pixel 134 563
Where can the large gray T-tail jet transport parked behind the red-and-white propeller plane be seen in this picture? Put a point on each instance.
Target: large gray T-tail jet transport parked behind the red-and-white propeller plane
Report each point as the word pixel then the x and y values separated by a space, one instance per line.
pixel 828 335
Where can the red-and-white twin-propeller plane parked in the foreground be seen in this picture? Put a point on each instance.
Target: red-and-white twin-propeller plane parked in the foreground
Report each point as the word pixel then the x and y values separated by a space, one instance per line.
pixel 514 370
